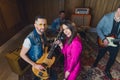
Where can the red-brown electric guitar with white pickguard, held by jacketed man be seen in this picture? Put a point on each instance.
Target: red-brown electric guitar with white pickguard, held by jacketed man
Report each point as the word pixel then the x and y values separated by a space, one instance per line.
pixel 111 39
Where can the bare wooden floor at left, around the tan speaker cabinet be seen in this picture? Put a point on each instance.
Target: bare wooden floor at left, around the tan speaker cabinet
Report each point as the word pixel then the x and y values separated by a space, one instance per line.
pixel 5 70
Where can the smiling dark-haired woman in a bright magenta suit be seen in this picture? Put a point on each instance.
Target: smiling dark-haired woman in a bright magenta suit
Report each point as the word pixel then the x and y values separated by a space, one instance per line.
pixel 71 48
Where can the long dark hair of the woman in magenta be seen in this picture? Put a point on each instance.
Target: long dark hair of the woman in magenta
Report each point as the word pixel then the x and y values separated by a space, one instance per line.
pixel 72 28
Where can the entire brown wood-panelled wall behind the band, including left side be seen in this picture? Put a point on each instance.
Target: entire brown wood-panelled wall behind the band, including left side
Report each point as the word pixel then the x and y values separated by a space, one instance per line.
pixel 13 13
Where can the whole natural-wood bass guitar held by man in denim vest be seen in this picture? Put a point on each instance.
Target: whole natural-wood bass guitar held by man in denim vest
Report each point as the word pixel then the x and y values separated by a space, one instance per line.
pixel 46 61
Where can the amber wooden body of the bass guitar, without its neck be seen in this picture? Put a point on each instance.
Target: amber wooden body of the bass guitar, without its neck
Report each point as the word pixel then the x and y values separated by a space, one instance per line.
pixel 47 63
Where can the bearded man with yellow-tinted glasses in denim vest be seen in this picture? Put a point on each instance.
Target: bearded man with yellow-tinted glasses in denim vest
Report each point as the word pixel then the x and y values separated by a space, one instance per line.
pixel 33 46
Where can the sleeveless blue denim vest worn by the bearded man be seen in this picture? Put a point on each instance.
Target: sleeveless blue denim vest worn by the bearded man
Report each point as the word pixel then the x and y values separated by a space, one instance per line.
pixel 36 50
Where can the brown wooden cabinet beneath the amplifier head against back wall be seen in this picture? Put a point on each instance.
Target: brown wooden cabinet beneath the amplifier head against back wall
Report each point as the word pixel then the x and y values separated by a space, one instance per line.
pixel 81 20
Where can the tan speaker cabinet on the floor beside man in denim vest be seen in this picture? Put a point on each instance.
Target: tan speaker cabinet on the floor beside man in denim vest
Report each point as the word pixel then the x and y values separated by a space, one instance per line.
pixel 17 64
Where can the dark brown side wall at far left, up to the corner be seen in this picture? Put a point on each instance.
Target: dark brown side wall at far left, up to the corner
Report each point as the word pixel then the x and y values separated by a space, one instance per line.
pixel 10 19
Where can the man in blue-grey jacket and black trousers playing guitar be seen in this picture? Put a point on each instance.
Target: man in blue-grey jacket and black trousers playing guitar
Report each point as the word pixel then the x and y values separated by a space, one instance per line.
pixel 108 26
